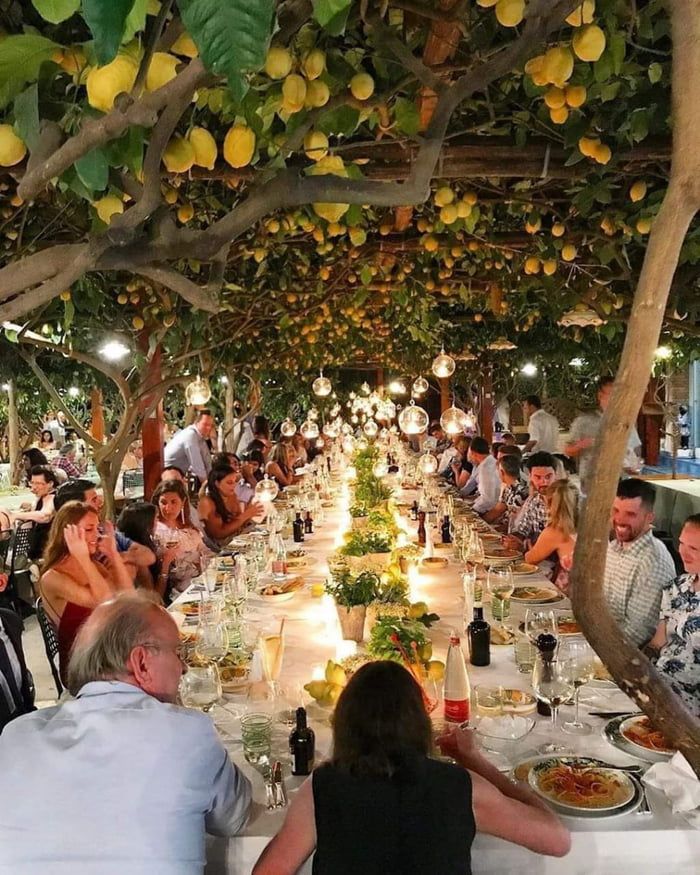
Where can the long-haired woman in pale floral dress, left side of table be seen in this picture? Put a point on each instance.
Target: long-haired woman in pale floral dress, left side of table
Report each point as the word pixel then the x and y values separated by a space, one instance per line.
pixel 174 529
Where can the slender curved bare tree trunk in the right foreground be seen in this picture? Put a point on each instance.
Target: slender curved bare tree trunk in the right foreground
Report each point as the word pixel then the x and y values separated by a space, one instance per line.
pixel 628 665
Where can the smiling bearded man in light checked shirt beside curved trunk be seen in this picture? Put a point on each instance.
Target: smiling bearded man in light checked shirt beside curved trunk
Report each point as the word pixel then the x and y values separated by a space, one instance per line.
pixel 638 565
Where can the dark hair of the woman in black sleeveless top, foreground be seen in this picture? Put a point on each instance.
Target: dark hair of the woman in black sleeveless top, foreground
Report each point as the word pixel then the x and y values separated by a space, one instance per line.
pixel 380 721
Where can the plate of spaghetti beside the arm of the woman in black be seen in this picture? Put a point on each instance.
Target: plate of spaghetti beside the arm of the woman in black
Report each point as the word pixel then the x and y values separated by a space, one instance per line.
pixel 577 787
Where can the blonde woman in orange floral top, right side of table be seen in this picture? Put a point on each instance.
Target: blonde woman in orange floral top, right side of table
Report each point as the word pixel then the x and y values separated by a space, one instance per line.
pixel 558 538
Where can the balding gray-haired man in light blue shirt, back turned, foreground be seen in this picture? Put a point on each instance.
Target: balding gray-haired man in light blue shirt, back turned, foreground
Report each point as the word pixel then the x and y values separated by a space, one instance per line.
pixel 119 779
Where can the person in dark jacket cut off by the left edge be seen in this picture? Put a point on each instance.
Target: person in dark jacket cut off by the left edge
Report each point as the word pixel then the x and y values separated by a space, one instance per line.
pixel 16 685
